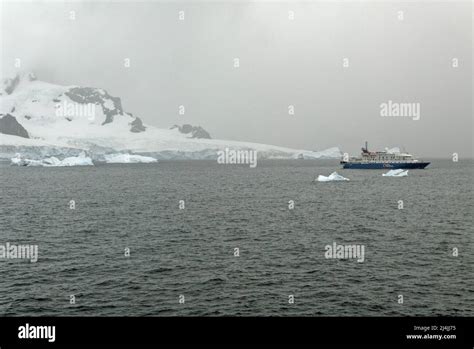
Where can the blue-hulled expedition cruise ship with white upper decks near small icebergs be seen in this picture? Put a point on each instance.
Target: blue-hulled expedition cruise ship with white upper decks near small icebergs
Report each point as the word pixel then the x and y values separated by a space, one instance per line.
pixel 383 160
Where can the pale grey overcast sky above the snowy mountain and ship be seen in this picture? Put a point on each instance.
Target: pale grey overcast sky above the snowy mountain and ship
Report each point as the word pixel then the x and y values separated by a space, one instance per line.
pixel 283 62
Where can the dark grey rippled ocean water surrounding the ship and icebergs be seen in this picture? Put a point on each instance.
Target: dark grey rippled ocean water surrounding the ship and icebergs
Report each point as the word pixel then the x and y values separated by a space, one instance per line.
pixel 190 252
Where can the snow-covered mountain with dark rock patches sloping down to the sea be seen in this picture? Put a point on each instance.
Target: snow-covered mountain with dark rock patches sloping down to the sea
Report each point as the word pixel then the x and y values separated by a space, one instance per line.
pixel 40 119
